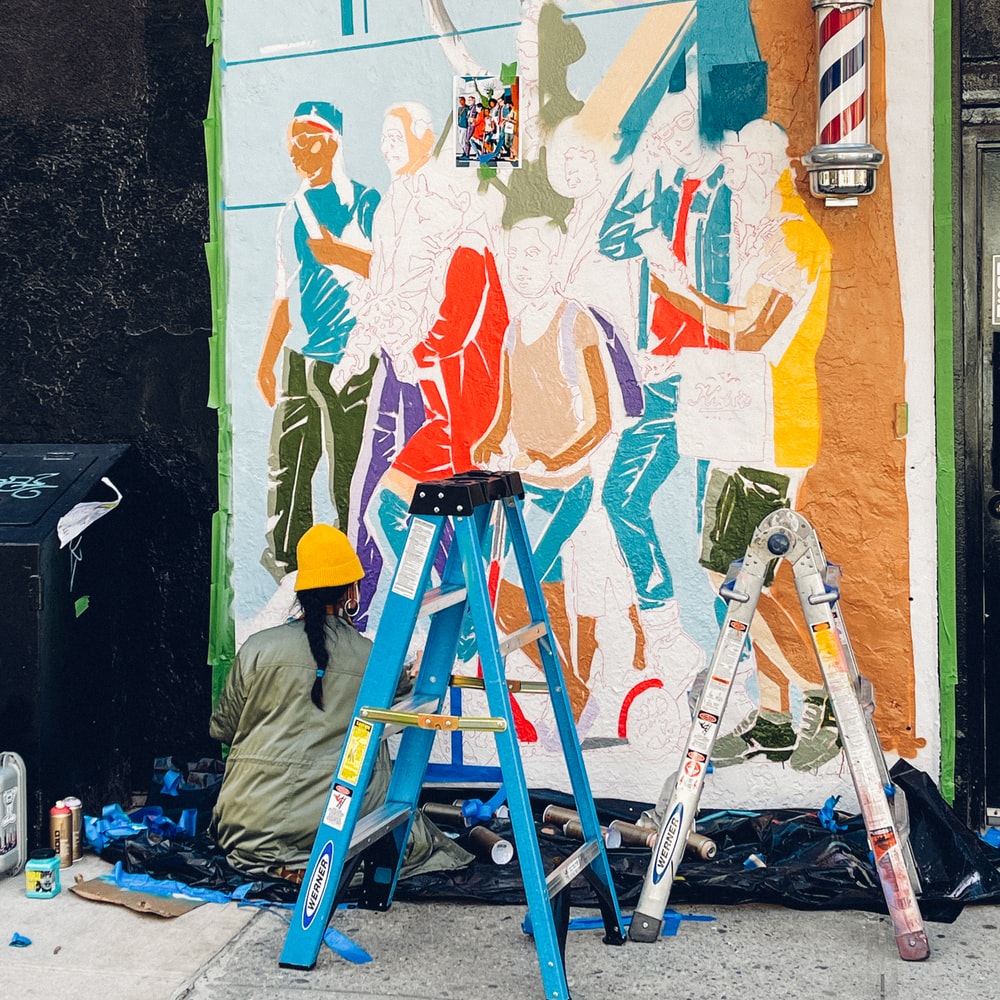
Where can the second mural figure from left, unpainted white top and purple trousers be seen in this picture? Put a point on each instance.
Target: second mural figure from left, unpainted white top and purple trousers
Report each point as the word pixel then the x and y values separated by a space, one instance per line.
pixel 394 309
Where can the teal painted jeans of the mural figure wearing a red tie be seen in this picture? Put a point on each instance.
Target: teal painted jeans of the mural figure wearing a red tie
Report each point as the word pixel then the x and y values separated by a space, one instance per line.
pixel 646 455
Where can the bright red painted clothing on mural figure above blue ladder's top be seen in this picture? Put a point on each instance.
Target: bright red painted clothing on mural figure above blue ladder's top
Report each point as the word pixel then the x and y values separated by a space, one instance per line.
pixel 461 354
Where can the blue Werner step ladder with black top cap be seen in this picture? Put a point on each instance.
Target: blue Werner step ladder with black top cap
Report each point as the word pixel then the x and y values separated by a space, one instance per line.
pixel 345 840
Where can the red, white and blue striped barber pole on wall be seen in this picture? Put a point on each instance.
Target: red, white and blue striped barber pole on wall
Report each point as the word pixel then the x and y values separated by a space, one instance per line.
pixel 843 163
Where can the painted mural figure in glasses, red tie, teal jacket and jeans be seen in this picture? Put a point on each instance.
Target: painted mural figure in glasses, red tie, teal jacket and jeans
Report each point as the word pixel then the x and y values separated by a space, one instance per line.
pixel 672 207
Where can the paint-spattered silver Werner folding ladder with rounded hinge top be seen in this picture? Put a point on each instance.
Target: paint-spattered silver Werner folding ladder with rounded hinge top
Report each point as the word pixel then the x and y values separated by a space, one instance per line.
pixel 784 534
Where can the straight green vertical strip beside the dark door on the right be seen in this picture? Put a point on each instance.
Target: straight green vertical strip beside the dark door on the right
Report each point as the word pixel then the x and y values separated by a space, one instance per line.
pixel 944 367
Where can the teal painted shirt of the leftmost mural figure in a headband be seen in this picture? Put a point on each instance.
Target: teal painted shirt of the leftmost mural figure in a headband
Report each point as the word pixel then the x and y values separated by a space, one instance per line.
pixel 323 296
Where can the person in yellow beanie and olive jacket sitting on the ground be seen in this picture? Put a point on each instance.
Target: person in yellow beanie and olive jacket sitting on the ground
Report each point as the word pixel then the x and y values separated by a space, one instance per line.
pixel 284 711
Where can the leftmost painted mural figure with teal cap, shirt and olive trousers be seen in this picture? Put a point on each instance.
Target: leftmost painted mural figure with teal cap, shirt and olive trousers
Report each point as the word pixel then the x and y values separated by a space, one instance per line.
pixel 322 249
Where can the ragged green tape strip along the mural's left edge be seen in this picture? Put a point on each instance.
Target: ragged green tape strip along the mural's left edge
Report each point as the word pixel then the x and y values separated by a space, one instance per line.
pixel 221 636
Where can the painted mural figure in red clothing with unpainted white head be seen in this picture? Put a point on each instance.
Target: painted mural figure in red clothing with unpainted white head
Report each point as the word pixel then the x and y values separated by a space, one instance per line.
pixel 457 357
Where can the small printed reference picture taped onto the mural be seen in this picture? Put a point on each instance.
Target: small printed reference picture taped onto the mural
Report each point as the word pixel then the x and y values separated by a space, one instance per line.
pixel 486 117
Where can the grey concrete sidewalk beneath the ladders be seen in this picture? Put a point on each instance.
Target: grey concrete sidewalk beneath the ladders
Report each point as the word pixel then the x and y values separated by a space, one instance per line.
pixel 440 950
